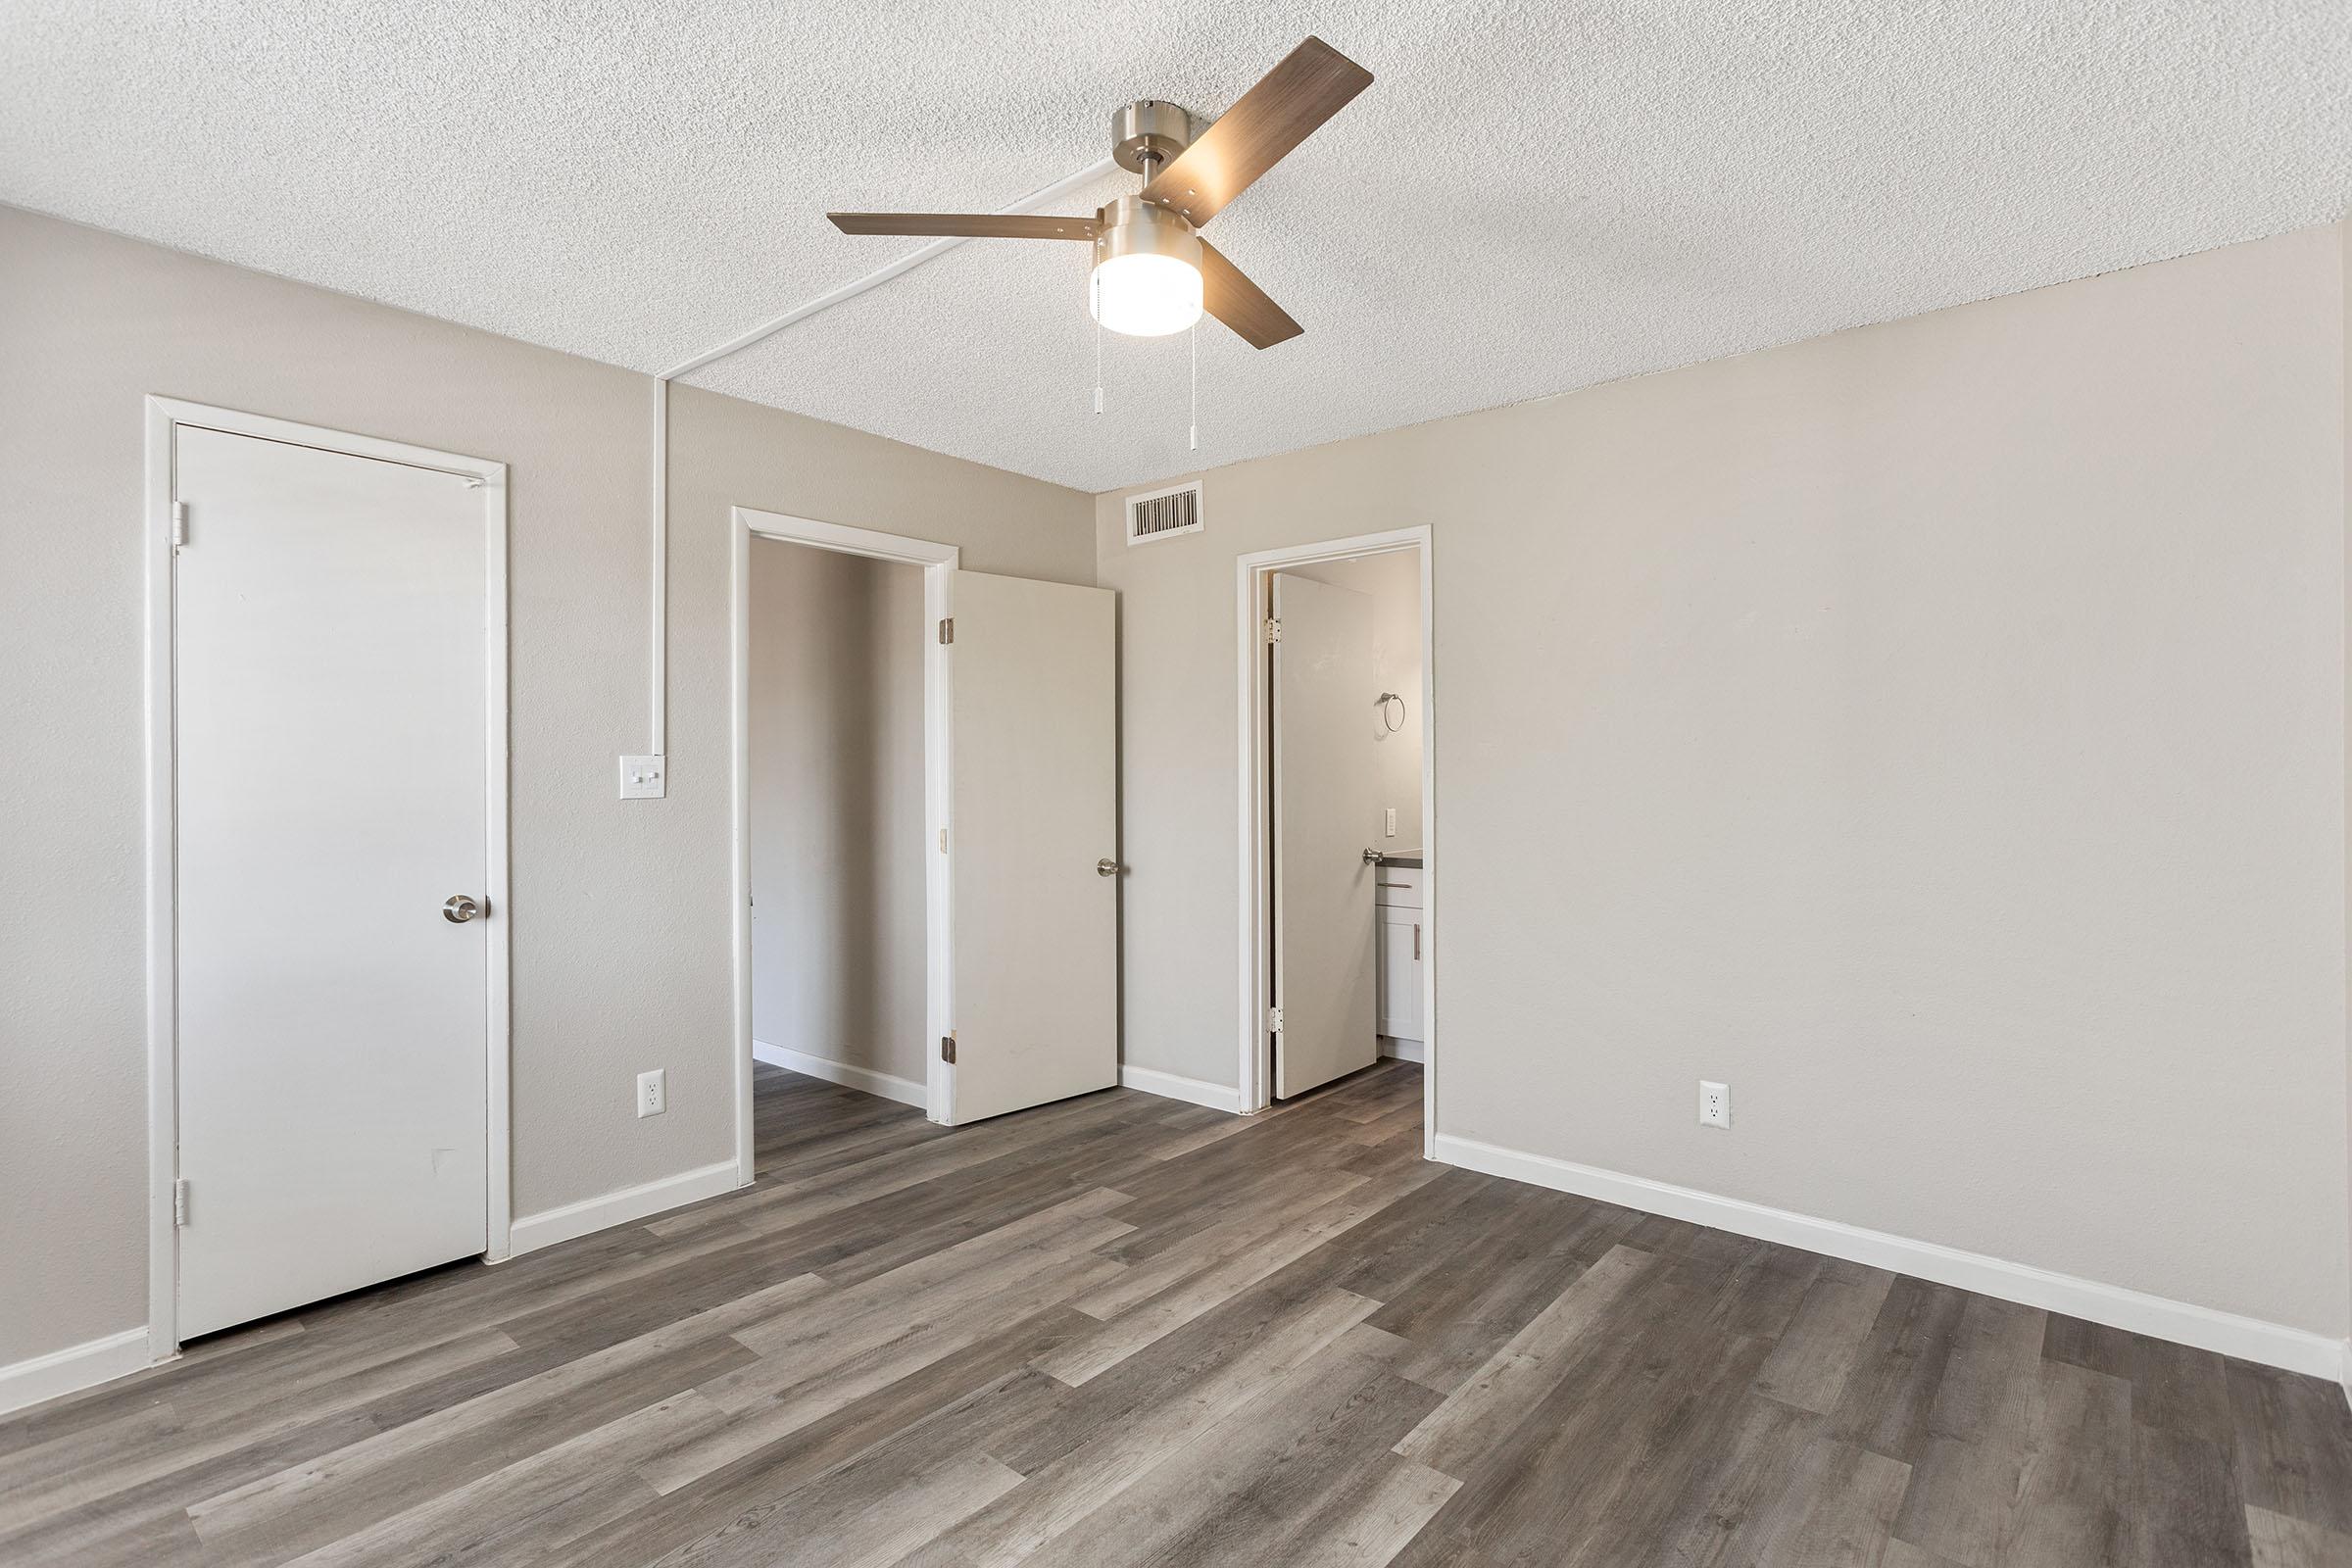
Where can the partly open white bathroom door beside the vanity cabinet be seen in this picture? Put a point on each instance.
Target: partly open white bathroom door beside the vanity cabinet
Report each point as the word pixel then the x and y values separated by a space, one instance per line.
pixel 1325 803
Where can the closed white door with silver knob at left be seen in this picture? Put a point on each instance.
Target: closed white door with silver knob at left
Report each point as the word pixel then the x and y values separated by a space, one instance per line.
pixel 330 793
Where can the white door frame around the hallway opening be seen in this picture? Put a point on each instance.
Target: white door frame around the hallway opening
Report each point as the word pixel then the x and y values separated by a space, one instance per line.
pixel 937 563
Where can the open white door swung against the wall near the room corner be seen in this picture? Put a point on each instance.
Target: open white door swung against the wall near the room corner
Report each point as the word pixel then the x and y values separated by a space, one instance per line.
pixel 1031 845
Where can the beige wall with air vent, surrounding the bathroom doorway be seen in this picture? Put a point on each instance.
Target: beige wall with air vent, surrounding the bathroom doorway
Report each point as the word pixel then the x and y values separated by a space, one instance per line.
pixel 1935 730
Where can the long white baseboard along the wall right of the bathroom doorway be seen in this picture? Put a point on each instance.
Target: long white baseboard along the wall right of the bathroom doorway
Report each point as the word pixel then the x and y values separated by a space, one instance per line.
pixel 2019 1282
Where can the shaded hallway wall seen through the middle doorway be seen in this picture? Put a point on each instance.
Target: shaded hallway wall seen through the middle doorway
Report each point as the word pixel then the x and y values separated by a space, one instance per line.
pixel 836 808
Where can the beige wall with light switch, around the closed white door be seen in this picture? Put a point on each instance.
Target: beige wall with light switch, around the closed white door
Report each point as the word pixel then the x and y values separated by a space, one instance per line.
pixel 620 911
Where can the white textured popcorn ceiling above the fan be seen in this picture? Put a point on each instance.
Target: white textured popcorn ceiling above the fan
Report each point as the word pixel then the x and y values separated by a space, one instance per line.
pixel 1530 196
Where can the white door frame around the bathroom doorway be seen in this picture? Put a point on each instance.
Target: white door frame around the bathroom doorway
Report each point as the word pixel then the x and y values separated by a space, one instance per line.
pixel 1257 810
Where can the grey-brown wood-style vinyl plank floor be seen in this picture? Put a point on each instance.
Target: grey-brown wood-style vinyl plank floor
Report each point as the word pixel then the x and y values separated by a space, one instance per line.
pixel 1135 1332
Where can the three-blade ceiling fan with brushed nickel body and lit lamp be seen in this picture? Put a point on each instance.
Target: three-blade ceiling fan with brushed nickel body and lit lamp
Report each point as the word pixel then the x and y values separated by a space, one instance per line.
pixel 1154 274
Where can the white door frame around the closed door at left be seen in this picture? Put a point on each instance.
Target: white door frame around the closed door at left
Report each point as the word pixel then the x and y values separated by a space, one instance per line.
pixel 163 417
